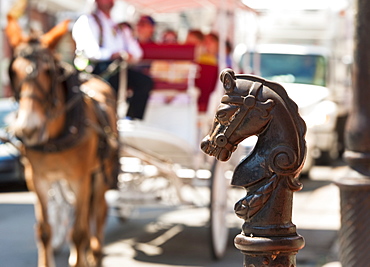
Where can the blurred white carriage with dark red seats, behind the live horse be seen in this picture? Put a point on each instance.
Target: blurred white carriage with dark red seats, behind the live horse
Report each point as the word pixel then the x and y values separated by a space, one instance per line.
pixel 161 159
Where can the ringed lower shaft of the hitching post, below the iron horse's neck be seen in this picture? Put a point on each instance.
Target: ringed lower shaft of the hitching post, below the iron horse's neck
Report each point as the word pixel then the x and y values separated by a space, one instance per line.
pixel 270 239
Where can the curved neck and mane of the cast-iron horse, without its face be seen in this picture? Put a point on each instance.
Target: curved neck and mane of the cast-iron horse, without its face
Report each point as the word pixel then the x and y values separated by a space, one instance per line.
pixel 281 146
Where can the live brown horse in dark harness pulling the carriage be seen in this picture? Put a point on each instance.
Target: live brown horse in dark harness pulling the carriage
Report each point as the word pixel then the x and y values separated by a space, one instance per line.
pixel 68 129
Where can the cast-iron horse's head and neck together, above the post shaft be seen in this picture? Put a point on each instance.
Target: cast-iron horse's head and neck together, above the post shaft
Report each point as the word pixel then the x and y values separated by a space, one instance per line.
pixel 254 106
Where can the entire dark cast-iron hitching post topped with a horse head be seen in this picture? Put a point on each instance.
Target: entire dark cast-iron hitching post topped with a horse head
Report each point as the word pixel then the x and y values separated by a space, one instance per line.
pixel 254 106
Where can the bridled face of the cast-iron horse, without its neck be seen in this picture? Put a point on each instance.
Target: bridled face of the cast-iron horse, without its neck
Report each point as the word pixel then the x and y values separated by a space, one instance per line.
pixel 240 115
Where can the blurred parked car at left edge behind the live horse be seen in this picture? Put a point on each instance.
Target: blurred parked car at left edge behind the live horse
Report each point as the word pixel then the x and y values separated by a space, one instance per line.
pixel 11 168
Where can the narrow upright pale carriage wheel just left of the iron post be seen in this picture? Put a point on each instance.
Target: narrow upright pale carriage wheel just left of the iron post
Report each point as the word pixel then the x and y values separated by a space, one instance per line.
pixel 219 231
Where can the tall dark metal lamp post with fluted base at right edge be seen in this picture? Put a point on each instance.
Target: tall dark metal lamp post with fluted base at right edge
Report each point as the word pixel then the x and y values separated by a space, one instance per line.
pixel 354 236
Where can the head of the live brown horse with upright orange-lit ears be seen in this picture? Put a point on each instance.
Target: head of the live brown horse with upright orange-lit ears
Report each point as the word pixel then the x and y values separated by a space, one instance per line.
pixel 35 78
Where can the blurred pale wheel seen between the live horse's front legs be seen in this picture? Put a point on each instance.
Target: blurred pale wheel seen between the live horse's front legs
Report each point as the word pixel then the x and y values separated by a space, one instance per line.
pixel 60 214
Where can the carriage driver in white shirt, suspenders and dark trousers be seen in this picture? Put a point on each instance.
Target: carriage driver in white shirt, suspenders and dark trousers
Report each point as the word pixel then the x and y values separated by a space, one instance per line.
pixel 100 39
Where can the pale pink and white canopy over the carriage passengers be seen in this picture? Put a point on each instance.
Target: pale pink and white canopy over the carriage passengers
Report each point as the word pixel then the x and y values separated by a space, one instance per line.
pixel 231 19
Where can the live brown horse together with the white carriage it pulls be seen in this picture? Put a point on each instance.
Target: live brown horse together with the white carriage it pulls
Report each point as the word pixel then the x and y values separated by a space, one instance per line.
pixel 69 132
